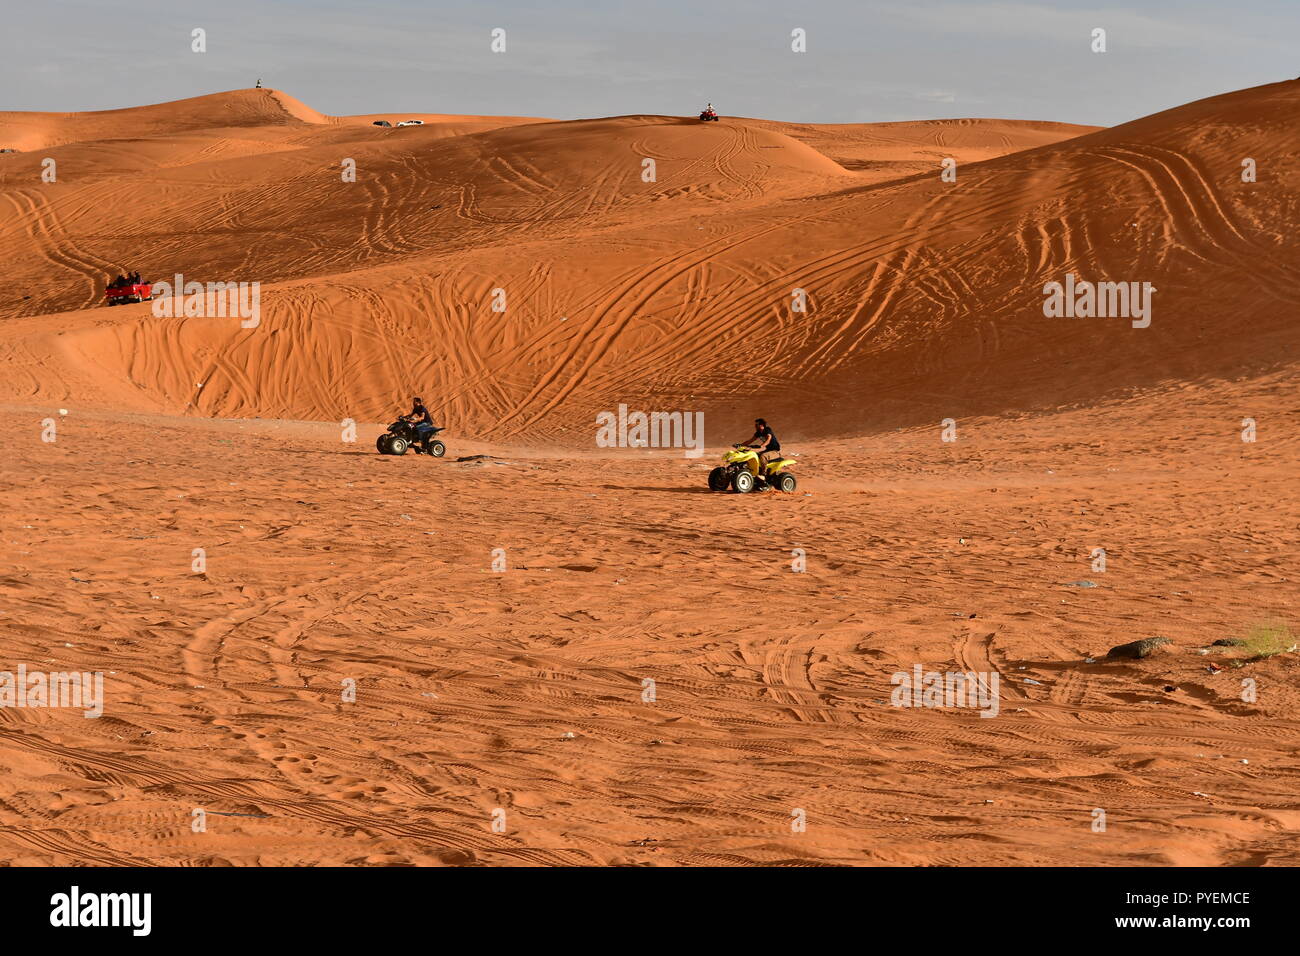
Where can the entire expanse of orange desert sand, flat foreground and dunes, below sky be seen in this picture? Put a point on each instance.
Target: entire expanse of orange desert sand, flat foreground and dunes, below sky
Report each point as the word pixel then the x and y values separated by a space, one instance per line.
pixel 557 654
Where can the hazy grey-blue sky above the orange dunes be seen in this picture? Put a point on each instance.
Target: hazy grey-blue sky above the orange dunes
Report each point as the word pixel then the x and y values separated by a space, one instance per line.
pixel 865 62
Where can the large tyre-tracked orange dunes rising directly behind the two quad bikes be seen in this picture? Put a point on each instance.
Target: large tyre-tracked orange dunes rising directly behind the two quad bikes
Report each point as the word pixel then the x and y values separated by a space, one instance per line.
pixel 924 295
